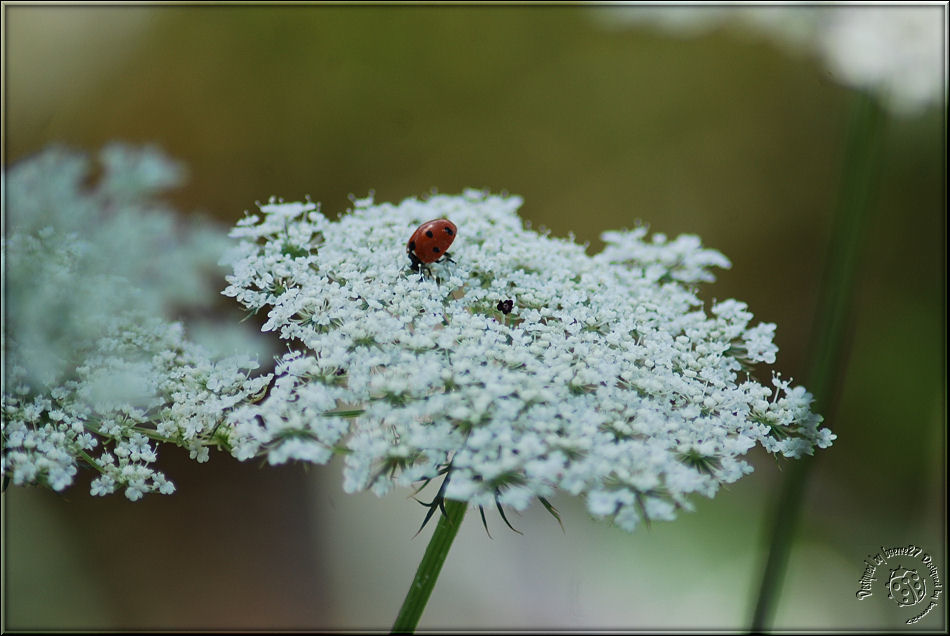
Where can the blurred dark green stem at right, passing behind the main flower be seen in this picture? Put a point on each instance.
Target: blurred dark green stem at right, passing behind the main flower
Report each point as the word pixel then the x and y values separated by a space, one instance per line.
pixel 828 355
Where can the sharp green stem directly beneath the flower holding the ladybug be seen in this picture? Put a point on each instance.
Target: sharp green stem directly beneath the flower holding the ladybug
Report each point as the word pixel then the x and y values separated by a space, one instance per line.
pixel 429 567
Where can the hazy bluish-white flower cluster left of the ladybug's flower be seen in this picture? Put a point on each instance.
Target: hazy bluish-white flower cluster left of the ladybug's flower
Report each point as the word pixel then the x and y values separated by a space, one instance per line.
pixel 95 371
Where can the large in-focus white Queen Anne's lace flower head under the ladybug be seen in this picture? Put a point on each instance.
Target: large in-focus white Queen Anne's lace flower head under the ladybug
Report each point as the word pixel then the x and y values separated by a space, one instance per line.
pixel 603 376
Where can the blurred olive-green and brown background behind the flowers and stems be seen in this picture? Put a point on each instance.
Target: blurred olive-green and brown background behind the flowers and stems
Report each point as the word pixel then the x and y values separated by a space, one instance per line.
pixel 724 135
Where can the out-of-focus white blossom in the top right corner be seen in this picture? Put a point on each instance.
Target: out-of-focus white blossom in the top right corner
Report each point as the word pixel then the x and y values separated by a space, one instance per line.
pixel 897 51
